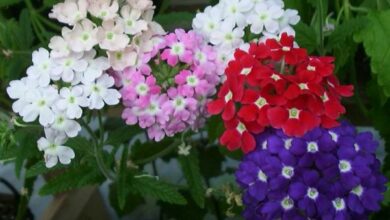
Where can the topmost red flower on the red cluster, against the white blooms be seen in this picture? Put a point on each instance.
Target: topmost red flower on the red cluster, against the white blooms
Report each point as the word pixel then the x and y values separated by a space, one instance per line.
pixel 285 48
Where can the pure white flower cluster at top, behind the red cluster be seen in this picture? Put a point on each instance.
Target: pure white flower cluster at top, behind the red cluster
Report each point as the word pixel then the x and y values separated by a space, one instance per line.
pixel 225 24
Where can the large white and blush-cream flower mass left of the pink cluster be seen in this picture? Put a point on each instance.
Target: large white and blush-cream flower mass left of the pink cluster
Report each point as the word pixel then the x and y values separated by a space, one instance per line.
pixel 72 76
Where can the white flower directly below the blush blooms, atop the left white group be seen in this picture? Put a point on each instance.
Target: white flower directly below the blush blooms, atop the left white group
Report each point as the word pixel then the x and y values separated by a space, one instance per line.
pixel 66 67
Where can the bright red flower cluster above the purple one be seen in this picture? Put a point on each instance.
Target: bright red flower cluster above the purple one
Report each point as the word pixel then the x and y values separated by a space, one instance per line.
pixel 275 84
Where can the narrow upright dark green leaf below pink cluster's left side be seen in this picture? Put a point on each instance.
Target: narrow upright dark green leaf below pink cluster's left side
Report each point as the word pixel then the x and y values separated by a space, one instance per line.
pixel 121 182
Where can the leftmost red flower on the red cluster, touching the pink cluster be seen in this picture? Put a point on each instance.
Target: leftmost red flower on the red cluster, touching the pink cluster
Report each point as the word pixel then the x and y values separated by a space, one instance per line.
pixel 229 93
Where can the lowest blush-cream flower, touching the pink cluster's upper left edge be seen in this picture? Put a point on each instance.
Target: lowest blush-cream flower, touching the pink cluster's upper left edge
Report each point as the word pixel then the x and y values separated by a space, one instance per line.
pixel 119 60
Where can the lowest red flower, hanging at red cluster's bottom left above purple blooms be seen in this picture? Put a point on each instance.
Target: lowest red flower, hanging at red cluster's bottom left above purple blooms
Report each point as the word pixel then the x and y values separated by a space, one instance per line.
pixel 238 134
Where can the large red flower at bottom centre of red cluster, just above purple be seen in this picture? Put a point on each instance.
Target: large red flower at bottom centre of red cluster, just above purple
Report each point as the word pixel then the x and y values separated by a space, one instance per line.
pixel 293 121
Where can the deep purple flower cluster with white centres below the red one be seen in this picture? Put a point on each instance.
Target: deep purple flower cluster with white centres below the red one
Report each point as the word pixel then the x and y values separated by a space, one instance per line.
pixel 326 174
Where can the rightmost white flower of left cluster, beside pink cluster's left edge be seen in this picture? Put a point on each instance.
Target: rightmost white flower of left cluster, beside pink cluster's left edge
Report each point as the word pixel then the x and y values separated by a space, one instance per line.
pixel 99 92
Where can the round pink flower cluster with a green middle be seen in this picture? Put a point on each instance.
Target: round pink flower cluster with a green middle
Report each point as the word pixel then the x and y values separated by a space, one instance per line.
pixel 167 93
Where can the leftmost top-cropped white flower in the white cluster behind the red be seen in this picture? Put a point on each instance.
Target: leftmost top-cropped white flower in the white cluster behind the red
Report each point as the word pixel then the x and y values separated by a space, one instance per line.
pixel 235 10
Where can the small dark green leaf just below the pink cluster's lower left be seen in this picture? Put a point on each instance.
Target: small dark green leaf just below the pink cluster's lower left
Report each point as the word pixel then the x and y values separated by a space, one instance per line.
pixel 122 135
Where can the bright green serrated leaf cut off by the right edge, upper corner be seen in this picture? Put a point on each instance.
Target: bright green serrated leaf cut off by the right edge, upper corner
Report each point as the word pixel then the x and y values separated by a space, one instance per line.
pixel 376 41
